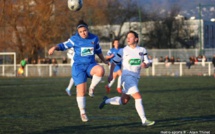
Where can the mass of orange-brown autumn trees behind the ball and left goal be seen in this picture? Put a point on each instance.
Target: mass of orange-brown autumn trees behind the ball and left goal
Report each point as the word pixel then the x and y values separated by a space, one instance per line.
pixel 30 26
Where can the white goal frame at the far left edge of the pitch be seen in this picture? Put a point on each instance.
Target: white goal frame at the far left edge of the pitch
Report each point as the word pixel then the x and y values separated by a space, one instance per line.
pixel 8 64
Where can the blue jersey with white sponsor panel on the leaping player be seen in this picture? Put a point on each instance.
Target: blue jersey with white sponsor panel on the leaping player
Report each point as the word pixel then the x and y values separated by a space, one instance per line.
pixel 85 49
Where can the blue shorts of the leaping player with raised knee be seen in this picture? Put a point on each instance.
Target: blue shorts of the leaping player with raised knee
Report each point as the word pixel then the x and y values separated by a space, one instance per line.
pixel 81 72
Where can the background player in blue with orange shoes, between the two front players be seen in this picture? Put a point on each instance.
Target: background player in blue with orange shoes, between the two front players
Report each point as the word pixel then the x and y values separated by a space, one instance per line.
pixel 117 70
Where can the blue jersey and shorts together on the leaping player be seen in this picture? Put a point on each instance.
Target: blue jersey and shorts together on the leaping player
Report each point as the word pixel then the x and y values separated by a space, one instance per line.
pixel 84 57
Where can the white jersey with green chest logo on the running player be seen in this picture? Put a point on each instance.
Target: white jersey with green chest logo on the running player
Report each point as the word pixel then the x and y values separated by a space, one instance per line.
pixel 131 60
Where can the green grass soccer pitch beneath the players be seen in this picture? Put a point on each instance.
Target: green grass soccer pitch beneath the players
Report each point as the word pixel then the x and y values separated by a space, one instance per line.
pixel 41 106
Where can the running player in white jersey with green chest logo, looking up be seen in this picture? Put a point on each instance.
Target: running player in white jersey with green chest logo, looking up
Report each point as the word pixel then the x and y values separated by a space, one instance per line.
pixel 133 58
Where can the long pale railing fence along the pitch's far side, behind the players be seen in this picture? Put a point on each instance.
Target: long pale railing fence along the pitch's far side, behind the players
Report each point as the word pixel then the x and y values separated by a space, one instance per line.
pixel 157 69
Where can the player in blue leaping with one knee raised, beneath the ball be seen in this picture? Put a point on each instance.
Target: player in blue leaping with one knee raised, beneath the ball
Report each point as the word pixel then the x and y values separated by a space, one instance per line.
pixel 85 45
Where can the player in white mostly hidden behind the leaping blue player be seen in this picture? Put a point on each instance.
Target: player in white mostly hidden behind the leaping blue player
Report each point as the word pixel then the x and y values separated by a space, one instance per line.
pixel 70 54
